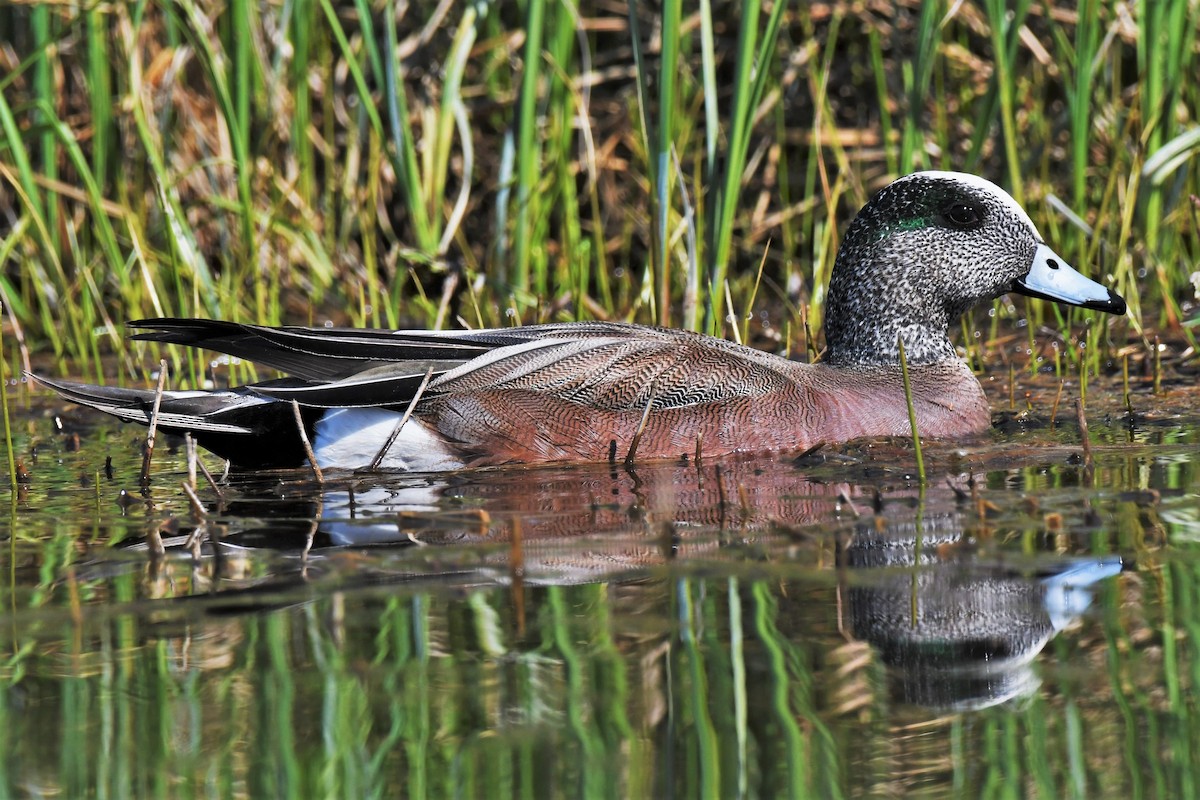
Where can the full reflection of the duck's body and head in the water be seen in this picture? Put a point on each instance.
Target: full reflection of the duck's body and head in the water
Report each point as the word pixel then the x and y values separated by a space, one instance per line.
pixel 957 625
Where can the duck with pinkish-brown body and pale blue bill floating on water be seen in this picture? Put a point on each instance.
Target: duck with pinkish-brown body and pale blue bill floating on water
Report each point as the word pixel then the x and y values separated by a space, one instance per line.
pixel 925 249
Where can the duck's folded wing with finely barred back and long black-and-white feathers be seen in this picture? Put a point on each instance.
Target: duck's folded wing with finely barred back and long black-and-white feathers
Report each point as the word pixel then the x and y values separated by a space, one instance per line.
pixel 599 365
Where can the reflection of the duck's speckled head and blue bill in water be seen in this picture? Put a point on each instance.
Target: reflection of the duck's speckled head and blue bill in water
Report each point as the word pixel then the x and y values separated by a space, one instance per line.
pixel 958 630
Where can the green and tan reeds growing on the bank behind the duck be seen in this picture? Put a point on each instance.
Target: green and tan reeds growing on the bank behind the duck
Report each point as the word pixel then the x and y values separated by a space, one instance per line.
pixel 436 165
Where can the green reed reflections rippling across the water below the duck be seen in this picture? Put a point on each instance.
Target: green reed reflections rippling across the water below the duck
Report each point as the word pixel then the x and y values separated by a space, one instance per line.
pixel 343 688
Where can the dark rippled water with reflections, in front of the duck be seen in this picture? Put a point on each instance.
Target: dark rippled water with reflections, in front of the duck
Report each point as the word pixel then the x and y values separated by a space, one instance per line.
pixel 1028 624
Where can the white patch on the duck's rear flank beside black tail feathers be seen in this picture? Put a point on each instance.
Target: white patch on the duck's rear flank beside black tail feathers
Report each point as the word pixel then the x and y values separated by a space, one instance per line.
pixel 350 438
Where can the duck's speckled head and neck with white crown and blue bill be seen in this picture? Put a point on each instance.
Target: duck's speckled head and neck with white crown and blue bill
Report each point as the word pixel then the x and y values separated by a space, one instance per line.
pixel 925 250
